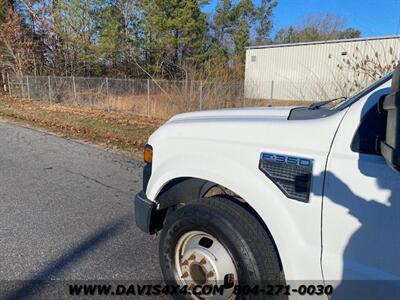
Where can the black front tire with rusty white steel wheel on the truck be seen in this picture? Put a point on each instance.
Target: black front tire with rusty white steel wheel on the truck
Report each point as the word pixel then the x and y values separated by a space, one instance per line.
pixel 215 241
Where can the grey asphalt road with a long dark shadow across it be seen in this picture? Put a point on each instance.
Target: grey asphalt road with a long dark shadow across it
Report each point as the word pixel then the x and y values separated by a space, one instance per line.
pixel 66 213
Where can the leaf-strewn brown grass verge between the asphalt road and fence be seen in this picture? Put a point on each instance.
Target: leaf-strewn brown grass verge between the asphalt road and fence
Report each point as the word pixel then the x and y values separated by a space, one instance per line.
pixel 117 131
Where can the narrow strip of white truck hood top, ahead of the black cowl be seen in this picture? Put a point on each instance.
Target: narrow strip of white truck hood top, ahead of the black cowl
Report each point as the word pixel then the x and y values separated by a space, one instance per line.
pixel 235 113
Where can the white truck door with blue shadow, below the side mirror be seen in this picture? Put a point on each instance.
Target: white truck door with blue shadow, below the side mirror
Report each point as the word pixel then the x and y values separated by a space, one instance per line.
pixel 361 208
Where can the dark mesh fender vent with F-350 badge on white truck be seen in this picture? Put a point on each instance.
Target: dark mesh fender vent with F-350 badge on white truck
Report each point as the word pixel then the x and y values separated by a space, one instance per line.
pixel 292 175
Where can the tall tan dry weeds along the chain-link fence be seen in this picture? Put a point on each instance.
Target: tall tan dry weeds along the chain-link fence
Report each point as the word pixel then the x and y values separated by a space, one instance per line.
pixel 160 98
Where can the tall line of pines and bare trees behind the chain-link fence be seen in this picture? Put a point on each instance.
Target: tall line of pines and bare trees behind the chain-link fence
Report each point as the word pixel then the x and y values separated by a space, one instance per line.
pixel 173 39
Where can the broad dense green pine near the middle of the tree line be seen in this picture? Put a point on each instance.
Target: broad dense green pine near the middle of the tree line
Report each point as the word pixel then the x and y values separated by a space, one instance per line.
pixel 176 33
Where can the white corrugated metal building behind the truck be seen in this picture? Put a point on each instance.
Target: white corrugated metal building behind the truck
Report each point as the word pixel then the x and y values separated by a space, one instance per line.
pixel 315 70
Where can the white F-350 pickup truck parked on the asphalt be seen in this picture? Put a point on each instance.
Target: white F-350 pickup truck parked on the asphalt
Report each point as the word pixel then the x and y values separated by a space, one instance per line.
pixel 280 195
